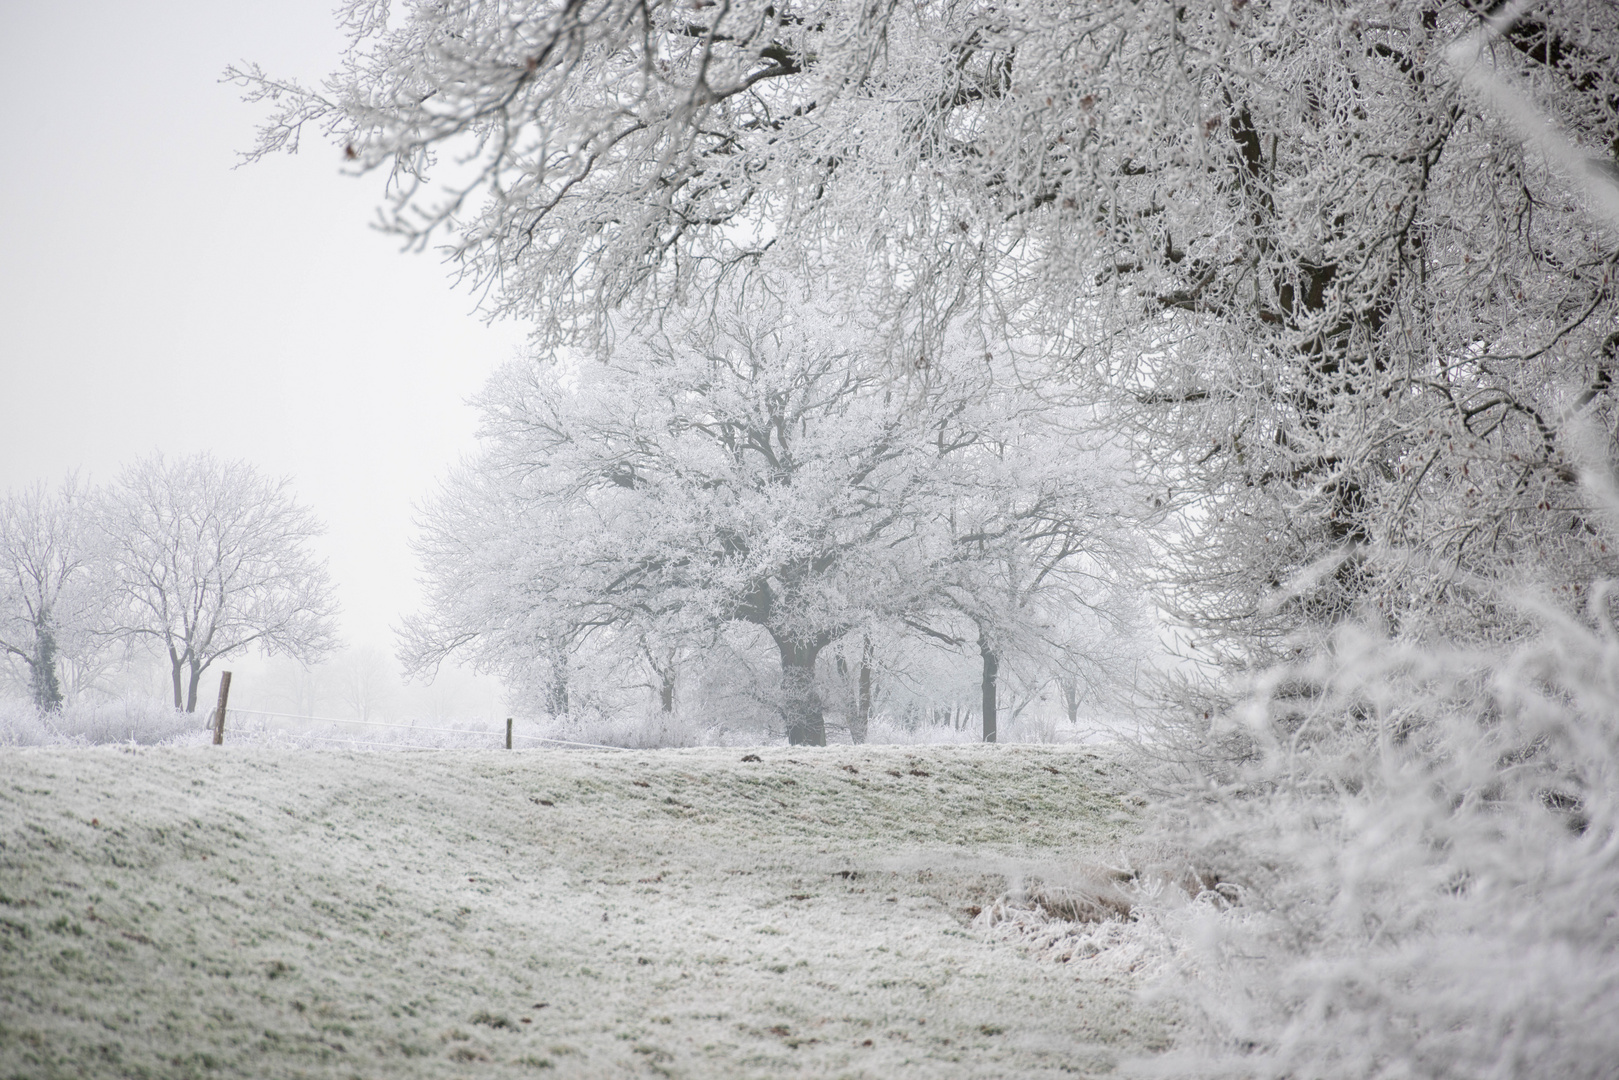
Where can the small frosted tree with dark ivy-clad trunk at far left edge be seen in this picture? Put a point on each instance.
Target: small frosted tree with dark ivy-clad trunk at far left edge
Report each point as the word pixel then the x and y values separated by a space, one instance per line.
pixel 53 585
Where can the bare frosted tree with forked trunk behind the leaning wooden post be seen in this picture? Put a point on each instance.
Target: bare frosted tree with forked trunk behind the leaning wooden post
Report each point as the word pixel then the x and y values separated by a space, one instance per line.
pixel 213 559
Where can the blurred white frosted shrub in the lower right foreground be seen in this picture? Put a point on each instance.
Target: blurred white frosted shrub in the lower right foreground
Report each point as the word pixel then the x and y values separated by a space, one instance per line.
pixel 1426 851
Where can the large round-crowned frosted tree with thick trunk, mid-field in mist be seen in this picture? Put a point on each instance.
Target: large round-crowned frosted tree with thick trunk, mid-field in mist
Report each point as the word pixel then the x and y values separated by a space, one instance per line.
pixel 770 477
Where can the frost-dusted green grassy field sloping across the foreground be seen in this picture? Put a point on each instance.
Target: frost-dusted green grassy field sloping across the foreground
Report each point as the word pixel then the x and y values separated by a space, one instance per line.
pixel 244 912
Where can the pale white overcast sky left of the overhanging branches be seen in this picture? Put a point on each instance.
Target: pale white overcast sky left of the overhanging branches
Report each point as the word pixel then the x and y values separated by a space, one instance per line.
pixel 156 299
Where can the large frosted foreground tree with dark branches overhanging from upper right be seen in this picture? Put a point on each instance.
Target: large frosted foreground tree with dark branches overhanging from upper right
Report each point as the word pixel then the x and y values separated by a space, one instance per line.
pixel 1351 308
